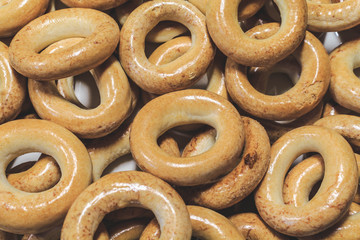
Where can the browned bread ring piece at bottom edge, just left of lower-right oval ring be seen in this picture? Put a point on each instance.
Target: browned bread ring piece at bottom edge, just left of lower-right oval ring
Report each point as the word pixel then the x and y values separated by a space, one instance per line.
pixel 253 227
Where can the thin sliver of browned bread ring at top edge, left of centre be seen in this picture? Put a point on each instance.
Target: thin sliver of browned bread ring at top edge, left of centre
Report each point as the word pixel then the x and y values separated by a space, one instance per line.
pixel 94 4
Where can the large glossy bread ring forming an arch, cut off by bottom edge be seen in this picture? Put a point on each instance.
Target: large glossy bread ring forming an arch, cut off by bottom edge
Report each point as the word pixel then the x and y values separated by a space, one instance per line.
pixel 124 189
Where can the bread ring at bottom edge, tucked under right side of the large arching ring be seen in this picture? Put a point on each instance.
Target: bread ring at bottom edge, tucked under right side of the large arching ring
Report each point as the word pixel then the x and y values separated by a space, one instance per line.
pixel 206 224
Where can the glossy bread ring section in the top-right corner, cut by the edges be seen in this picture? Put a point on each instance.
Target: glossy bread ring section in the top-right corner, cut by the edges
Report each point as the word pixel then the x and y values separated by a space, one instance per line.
pixel 333 17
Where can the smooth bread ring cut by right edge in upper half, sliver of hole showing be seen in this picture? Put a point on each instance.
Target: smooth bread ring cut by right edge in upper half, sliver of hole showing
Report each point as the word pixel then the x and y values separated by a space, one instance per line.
pixel 344 85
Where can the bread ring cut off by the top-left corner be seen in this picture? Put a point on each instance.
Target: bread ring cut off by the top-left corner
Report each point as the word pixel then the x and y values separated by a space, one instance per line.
pixel 15 14
